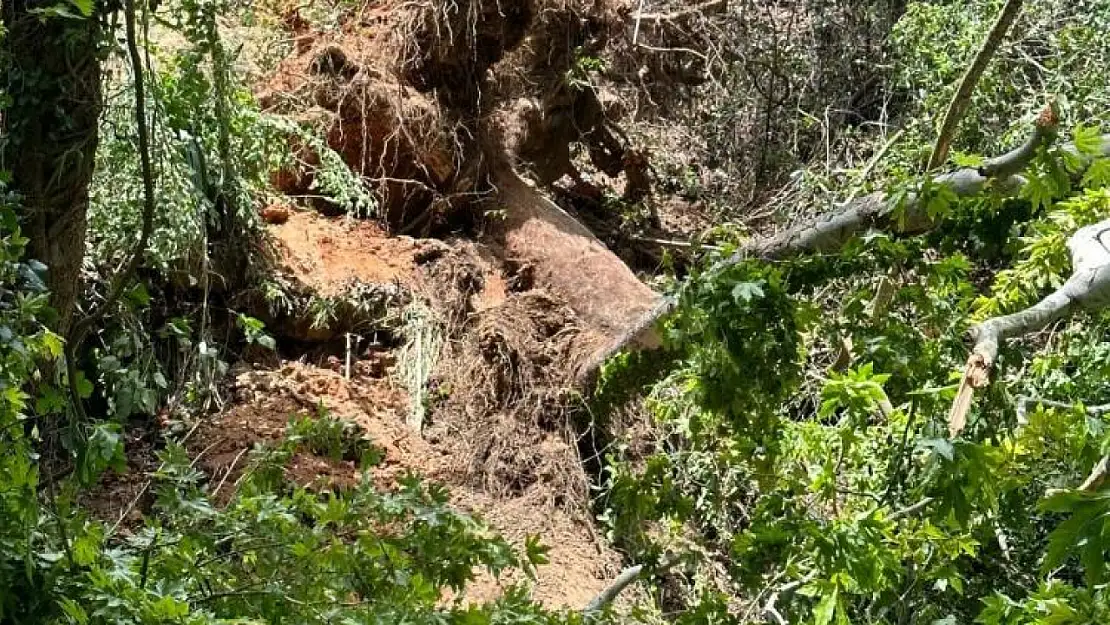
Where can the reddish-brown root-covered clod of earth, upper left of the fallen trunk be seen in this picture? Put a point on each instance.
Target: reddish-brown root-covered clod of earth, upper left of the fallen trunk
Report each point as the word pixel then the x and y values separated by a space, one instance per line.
pixel 396 137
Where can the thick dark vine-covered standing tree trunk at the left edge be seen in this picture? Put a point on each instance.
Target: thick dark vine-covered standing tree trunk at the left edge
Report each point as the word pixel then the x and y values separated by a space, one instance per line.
pixel 52 132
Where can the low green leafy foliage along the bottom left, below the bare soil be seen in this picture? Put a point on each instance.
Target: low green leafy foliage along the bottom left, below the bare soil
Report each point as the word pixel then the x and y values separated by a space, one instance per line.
pixel 276 553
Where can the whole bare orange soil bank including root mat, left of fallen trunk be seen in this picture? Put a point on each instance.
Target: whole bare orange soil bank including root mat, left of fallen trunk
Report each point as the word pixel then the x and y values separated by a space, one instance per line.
pixel 495 437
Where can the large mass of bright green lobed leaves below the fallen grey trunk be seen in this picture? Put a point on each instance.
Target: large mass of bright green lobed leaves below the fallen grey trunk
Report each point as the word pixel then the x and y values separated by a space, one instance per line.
pixel 836 488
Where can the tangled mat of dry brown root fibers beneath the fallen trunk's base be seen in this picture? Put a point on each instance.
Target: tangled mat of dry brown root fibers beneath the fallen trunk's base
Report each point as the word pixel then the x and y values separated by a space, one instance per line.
pixel 502 396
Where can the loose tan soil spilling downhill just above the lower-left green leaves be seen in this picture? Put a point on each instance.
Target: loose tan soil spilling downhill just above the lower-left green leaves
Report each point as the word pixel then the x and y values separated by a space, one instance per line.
pixel 266 400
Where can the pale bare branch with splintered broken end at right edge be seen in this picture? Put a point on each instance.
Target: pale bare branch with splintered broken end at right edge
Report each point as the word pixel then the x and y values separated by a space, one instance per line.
pixel 1089 288
